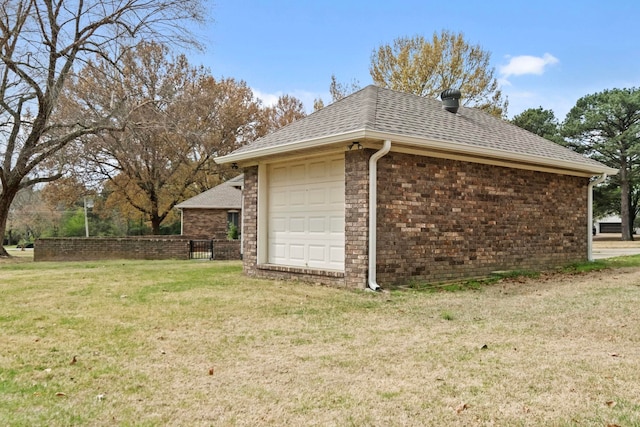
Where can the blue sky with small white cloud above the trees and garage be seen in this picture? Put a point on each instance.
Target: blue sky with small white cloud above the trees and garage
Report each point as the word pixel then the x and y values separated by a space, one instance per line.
pixel 545 53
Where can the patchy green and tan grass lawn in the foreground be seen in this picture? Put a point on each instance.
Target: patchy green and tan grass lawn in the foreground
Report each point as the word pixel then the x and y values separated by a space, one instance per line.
pixel 196 343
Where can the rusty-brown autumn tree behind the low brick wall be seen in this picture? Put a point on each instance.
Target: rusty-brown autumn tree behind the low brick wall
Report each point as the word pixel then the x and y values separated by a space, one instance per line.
pixel 178 118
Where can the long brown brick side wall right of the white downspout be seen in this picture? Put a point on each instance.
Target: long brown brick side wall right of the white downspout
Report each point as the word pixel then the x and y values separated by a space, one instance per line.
pixel 440 219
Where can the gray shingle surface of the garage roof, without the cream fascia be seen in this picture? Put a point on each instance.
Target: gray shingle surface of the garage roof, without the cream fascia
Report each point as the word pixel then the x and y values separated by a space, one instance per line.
pixel 397 113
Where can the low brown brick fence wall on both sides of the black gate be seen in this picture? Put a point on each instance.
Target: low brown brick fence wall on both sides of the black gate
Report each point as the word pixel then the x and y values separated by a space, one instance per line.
pixel 143 247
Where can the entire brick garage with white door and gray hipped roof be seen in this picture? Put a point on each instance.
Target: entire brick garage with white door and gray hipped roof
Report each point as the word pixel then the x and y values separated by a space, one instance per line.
pixel 455 194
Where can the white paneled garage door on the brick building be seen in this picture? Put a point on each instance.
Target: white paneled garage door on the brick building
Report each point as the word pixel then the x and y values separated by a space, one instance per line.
pixel 306 213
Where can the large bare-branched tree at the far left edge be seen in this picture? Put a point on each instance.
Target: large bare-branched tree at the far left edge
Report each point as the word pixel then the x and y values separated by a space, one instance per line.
pixel 41 41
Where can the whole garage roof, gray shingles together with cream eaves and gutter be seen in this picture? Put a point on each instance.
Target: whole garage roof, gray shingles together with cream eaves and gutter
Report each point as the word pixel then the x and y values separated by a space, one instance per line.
pixel 376 114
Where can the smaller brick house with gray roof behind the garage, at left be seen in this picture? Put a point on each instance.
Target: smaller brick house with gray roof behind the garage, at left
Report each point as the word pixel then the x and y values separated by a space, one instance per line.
pixel 209 214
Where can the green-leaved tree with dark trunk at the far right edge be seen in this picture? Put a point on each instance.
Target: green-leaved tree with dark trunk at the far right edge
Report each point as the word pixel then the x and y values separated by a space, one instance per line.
pixel 606 127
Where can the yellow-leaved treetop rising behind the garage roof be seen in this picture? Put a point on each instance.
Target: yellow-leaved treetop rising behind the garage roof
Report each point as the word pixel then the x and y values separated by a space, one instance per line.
pixel 426 68
